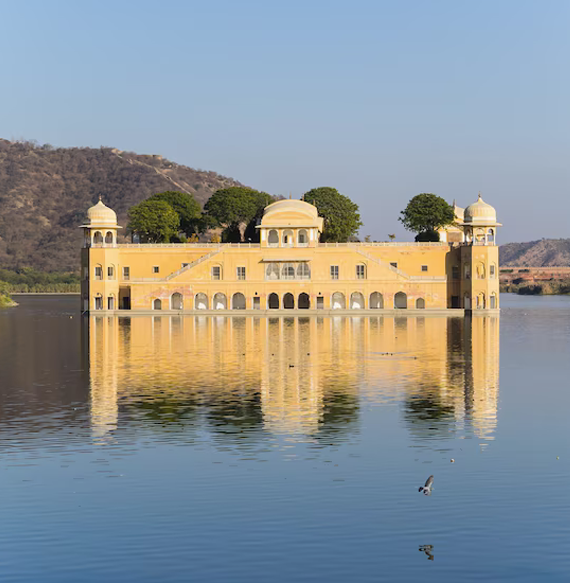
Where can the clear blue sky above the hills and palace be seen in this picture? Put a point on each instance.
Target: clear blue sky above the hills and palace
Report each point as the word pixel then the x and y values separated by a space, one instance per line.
pixel 381 99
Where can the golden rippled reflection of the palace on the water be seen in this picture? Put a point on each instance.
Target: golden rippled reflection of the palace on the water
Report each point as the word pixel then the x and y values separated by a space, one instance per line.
pixel 307 376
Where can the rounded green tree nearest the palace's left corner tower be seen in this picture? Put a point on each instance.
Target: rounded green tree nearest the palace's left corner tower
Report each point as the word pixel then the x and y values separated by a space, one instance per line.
pixel 155 221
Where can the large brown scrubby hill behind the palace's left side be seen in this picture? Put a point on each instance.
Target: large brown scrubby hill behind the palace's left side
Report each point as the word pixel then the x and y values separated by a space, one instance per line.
pixel 44 193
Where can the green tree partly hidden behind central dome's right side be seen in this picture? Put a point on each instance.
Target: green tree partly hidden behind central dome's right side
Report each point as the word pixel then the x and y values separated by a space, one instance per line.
pixel 341 217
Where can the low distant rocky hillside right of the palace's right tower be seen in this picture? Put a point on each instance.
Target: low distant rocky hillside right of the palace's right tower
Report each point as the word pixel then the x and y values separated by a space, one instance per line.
pixel 543 253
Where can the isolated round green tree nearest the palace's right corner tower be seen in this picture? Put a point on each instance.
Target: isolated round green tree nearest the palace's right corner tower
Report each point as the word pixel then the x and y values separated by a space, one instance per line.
pixel 425 214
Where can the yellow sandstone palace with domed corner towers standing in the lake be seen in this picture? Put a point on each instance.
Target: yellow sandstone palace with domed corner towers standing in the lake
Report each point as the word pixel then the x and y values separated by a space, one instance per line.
pixel 291 270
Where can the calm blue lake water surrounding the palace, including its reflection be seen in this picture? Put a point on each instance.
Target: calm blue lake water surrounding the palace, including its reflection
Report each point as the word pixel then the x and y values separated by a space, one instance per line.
pixel 255 449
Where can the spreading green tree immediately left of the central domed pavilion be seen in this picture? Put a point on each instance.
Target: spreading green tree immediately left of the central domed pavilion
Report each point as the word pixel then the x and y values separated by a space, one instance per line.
pixel 234 207
